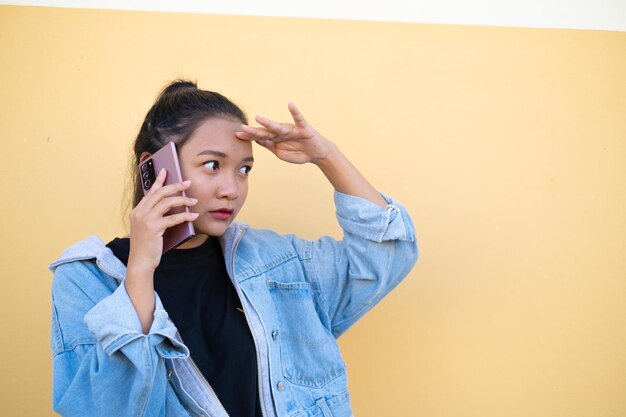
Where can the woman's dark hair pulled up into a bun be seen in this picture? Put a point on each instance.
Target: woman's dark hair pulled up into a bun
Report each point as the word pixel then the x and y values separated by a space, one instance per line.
pixel 174 116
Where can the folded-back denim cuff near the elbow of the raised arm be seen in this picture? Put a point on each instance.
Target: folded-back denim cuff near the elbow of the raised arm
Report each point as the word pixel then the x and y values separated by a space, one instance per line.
pixel 368 220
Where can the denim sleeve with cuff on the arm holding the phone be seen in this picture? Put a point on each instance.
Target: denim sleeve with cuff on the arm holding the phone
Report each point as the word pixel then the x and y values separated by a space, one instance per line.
pixel 103 365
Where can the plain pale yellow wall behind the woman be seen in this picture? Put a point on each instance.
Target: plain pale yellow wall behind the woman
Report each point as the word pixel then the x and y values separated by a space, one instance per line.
pixel 507 145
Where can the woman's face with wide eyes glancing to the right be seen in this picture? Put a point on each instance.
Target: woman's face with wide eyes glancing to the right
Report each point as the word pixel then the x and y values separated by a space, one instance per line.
pixel 217 163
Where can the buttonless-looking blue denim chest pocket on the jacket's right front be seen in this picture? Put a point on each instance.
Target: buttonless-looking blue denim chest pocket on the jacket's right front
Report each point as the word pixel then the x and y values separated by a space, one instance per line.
pixel 309 353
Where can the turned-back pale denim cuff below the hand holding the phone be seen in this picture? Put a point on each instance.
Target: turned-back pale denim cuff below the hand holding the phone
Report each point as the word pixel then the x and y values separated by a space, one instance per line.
pixel 114 322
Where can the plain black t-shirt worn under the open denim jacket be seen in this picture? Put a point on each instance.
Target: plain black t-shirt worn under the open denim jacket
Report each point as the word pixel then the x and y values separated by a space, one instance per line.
pixel 201 301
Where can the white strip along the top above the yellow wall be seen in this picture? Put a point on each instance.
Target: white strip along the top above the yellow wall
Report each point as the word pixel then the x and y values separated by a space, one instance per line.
pixel 571 14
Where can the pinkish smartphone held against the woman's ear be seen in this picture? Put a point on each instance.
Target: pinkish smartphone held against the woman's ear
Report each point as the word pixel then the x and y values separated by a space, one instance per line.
pixel 167 158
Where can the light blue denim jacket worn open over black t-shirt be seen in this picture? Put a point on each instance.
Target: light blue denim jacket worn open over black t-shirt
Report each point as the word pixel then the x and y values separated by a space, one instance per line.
pixel 298 297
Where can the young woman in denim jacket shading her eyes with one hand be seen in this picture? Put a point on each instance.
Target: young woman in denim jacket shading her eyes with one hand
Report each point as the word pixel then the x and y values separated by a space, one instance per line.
pixel 236 321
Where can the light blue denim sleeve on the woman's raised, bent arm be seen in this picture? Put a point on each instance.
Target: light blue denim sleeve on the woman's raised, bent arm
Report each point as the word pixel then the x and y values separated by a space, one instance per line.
pixel 377 251
